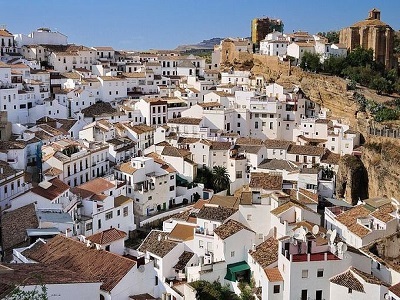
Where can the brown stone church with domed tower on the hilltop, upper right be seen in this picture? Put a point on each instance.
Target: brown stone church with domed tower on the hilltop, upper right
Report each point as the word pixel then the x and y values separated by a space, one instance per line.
pixel 371 33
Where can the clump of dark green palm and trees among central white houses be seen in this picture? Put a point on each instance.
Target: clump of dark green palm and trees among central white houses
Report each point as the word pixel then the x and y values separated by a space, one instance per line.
pixel 217 179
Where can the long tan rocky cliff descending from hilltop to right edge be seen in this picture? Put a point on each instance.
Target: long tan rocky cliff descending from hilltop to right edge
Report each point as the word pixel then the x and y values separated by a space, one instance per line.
pixel 378 172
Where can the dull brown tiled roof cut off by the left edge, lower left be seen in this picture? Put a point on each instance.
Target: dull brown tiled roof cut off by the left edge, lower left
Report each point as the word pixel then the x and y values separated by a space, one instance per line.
pixel 14 224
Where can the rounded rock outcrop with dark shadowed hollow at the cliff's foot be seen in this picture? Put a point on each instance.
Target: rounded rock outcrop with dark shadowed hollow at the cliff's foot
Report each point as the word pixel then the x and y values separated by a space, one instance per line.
pixel 352 179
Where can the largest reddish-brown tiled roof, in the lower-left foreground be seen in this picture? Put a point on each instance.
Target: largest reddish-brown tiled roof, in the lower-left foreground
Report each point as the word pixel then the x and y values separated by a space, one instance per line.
pixel 73 255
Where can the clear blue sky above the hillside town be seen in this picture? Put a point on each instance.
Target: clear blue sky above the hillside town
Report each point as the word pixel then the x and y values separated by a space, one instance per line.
pixel 165 24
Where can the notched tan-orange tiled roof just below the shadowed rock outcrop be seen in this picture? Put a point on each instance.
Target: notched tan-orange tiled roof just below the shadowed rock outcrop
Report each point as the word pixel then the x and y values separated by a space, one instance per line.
pixel 349 219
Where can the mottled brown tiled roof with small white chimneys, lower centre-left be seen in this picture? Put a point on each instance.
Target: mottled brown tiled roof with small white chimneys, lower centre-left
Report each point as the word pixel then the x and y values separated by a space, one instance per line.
pixel 157 243
